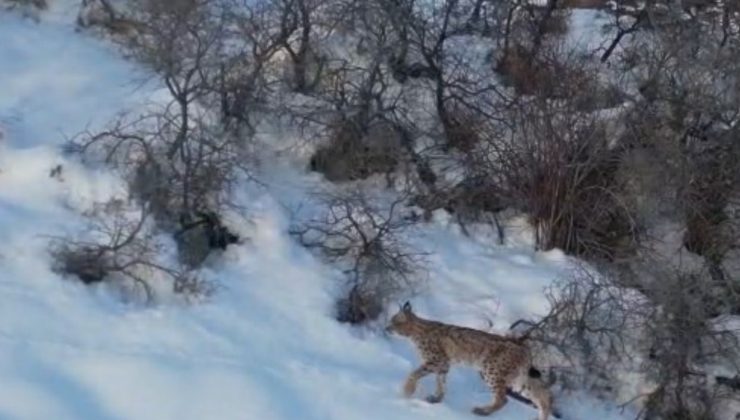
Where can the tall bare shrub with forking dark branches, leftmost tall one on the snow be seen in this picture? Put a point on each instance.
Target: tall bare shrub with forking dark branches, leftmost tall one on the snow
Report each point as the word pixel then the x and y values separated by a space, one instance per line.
pixel 180 158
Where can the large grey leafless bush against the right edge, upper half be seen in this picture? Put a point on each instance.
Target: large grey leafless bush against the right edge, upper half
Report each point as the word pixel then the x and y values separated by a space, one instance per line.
pixel 688 121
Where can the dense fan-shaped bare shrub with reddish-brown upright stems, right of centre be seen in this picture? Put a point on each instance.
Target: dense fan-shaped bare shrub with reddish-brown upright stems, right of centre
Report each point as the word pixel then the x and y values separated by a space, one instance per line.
pixel 559 168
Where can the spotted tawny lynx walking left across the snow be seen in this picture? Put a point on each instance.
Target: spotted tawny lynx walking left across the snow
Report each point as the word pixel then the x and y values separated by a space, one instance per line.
pixel 503 361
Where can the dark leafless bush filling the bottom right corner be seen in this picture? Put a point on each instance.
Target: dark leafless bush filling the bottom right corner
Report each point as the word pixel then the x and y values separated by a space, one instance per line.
pixel 685 339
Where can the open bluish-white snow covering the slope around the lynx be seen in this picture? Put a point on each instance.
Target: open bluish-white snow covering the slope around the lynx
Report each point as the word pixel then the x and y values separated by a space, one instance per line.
pixel 265 346
